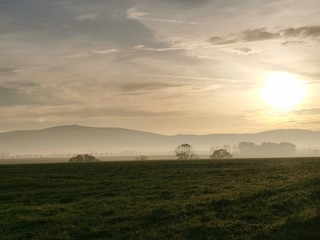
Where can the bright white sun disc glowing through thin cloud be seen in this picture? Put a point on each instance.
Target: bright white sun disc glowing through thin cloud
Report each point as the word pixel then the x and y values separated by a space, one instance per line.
pixel 283 90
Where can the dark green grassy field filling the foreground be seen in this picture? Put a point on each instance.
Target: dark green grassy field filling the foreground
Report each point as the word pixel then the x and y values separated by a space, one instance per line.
pixel 203 199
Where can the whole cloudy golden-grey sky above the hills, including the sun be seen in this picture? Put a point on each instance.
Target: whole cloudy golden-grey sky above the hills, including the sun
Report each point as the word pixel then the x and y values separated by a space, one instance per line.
pixel 169 66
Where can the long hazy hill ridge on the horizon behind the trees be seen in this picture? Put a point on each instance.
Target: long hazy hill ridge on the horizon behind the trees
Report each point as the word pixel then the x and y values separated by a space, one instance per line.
pixel 81 139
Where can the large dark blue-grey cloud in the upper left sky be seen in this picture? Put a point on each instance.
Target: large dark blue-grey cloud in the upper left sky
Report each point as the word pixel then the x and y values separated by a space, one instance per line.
pixel 48 23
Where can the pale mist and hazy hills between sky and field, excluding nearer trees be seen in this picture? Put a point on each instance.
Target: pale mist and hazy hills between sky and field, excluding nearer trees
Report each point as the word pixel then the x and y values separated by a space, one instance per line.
pixel 65 141
